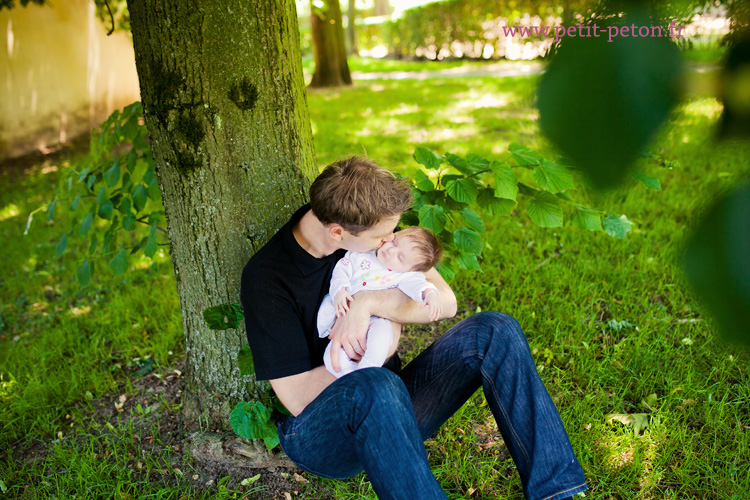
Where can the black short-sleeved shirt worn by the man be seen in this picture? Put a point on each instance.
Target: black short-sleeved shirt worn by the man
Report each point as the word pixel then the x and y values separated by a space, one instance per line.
pixel 282 288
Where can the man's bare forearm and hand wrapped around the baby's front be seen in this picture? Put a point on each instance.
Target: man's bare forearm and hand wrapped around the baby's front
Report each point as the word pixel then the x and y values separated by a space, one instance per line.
pixel 350 331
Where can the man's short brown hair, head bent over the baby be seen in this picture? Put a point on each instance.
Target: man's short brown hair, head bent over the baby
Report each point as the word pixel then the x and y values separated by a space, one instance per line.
pixel 357 194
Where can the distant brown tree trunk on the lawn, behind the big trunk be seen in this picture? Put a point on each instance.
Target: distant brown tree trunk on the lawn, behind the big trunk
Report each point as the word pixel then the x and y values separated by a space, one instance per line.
pixel 331 69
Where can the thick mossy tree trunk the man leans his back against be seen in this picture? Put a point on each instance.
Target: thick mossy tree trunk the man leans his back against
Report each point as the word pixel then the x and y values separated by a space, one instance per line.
pixel 225 106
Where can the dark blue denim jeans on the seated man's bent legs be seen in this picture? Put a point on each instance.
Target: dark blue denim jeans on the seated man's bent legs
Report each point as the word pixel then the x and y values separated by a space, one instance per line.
pixel 377 420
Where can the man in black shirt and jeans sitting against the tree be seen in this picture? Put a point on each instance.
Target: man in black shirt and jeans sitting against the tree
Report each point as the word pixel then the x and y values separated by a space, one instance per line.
pixel 377 419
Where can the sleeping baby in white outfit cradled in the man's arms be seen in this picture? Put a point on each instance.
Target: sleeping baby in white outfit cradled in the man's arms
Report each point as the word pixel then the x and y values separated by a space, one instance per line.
pixel 397 264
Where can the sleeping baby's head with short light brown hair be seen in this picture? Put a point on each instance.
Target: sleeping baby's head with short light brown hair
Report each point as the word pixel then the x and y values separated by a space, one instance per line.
pixel 412 249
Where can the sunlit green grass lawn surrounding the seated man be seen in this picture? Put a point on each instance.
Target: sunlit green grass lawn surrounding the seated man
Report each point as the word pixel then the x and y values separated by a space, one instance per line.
pixel 610 321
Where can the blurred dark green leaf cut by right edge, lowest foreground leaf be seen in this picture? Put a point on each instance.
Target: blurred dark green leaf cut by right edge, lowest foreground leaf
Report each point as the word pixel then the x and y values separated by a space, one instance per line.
pixel 717 262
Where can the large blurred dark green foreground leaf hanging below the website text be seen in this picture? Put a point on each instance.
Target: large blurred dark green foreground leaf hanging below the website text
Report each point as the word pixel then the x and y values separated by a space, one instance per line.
pixel 601 101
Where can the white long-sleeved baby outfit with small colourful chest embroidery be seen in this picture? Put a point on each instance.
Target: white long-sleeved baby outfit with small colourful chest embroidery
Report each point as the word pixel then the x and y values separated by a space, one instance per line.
pixel 363 271
